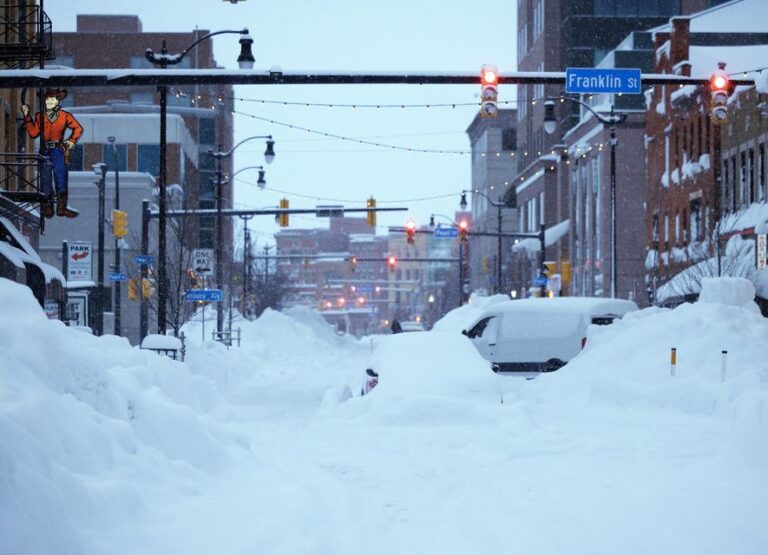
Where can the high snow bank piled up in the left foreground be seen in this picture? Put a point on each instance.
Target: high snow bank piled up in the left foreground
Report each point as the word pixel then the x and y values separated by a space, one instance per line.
pixel 83 421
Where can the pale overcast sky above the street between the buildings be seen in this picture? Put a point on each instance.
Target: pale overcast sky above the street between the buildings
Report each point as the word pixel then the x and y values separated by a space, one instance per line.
pixel 396 35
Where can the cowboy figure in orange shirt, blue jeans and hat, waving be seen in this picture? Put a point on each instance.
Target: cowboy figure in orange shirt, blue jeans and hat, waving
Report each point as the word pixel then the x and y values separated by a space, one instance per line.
pixel 57 151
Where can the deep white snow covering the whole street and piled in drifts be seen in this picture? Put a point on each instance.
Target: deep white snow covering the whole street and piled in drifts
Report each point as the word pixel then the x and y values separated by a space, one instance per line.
pixel 268 448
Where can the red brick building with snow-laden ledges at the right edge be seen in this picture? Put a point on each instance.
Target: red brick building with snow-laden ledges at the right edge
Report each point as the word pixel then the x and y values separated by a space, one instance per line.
pixel 701 173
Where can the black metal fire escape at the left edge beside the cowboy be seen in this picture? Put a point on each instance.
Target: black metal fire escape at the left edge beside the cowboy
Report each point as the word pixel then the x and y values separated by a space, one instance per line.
pixel 25 41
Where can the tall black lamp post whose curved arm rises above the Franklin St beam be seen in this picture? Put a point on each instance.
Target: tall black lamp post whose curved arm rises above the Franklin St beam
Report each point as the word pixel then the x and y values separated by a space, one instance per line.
pixel 245 61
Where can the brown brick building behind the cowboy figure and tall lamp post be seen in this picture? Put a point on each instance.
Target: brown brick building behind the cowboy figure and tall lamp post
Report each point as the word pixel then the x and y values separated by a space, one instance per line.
pixel 201 109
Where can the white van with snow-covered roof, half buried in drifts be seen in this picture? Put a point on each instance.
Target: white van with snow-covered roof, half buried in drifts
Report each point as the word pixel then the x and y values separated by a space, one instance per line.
pixel 540 334
